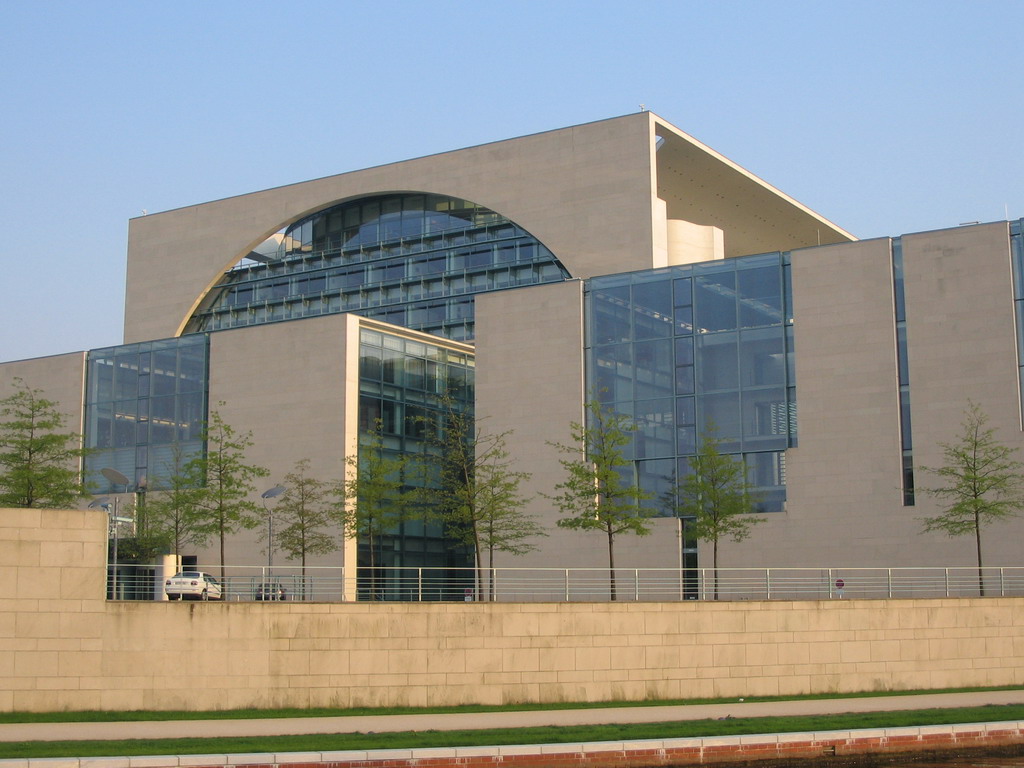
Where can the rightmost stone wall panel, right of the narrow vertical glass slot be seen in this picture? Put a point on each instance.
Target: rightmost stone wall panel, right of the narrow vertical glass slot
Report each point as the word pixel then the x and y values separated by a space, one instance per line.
pixel 963 348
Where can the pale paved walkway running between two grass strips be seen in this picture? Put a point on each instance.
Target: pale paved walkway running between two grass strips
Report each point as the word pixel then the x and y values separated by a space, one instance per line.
pixel 388 723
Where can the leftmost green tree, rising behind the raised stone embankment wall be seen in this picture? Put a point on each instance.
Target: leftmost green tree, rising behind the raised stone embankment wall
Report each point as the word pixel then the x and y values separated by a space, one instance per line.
pixel 39 462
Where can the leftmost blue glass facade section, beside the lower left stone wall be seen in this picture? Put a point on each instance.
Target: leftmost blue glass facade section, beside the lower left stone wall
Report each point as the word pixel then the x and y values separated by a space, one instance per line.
pixel 146 409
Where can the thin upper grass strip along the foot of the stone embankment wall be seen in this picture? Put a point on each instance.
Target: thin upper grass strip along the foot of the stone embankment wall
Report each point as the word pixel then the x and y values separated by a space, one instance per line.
pixel 98 716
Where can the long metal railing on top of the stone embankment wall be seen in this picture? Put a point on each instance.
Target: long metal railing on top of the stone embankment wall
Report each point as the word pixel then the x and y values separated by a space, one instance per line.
pixel 580 585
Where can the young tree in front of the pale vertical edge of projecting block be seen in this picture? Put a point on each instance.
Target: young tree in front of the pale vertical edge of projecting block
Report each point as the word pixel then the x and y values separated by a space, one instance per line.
pixel 372 499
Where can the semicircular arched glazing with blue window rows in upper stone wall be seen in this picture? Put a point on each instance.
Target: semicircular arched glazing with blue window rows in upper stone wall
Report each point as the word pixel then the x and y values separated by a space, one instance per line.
pixel 412 260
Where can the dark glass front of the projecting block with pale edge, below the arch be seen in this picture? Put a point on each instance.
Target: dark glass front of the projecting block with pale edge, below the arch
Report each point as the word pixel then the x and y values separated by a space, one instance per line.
pixel 406 388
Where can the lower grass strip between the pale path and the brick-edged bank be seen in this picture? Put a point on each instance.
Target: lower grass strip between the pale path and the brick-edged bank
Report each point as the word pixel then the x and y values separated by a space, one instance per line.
pixel 498 737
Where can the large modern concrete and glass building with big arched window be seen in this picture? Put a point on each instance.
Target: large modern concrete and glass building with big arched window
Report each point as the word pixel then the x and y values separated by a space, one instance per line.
pixel 621 259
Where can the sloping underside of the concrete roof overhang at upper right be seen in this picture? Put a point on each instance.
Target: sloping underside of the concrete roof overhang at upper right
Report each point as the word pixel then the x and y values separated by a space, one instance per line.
pixel 700 186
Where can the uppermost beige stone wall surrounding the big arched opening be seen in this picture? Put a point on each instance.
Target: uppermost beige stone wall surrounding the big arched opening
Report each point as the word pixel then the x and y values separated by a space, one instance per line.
pixel 585 192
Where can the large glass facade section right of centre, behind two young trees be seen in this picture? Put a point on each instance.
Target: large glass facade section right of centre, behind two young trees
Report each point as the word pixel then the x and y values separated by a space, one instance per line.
pixel 686 349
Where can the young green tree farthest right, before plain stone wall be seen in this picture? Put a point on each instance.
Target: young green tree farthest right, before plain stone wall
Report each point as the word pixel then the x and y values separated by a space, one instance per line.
pixel 980 484
